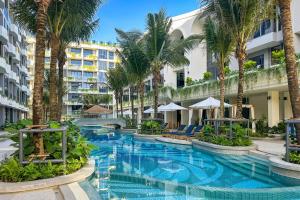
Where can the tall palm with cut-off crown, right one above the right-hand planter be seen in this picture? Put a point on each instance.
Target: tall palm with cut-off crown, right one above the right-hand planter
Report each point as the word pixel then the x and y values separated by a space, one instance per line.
pixel 242 18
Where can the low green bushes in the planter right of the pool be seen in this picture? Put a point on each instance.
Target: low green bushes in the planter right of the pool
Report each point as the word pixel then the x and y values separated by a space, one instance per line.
pixel 239 136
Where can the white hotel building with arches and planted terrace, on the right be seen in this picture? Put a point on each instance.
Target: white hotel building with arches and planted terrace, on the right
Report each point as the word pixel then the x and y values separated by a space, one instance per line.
pixel 266 91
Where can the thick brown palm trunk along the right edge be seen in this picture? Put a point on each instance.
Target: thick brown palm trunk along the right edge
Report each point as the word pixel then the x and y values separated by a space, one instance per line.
pixel 290 59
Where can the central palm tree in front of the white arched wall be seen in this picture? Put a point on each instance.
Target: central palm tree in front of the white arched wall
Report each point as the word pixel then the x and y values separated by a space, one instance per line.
pixel 163 50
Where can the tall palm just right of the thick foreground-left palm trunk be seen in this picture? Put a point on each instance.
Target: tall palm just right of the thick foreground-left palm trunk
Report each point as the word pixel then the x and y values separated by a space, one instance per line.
pixel 60 15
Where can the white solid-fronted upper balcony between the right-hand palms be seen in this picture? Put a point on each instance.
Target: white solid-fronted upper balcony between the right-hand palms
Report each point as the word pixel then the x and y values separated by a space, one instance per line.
pixel 265 41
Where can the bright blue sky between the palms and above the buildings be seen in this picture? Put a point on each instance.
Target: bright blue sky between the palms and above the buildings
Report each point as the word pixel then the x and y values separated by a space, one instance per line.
pixel 131 14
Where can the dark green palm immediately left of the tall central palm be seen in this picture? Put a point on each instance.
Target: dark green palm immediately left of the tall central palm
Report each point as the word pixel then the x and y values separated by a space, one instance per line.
pixel 134 60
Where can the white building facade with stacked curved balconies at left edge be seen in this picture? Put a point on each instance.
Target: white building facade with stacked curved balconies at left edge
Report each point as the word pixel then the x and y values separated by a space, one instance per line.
pixel 13 68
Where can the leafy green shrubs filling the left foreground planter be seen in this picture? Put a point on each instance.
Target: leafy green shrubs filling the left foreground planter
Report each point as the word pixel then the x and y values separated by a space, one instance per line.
pixel 78 150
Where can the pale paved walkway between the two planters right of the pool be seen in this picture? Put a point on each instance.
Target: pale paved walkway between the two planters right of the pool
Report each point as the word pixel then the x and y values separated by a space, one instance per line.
pixel 273 147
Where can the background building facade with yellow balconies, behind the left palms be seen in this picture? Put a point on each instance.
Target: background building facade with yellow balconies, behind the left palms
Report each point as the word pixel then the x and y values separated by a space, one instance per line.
pixel 84 72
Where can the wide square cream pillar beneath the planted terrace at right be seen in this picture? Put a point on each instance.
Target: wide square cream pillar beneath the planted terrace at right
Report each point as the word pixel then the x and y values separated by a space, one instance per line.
pixel 273 108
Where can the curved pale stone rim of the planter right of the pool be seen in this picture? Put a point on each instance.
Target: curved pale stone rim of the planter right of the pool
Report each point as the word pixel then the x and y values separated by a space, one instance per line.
pixel 238 150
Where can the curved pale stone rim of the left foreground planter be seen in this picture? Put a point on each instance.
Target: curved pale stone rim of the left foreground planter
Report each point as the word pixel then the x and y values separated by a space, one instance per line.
pixel 81 174
